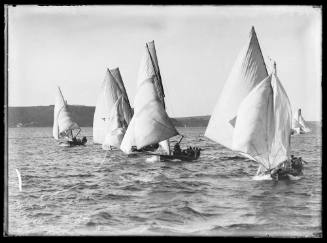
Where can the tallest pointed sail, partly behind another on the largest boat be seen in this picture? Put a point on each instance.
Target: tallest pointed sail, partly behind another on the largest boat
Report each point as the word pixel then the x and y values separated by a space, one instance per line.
pixel 248 70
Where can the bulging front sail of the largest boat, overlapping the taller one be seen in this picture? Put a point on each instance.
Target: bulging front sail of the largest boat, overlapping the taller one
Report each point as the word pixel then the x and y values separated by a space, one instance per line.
pixel 263 124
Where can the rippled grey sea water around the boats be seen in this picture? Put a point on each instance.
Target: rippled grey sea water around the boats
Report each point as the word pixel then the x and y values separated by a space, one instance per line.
pixel 84 191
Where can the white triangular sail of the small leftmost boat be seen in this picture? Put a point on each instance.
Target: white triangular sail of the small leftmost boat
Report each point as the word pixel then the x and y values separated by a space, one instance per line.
pixel 62 122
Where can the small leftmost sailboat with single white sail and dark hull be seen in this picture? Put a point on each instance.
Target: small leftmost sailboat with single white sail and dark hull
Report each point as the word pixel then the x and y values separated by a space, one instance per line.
pixel 64 126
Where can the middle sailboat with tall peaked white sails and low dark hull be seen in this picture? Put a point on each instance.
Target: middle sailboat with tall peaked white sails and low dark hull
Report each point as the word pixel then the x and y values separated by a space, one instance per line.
pixel 150 124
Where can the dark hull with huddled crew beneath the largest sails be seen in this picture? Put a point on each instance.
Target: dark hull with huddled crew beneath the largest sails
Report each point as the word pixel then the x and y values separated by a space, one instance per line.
pixel 293 166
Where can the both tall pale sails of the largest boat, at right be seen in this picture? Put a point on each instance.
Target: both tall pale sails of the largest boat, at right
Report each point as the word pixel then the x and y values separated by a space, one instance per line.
pixel 253 115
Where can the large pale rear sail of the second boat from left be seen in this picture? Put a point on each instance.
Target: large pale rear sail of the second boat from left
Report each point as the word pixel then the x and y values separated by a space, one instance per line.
pixel 109 94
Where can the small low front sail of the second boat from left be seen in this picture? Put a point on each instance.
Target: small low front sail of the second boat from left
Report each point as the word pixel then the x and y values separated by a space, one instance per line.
pixel 115 128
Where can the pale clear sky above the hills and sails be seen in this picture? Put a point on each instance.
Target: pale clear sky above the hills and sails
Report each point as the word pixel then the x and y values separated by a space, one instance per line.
pixel 72 46
